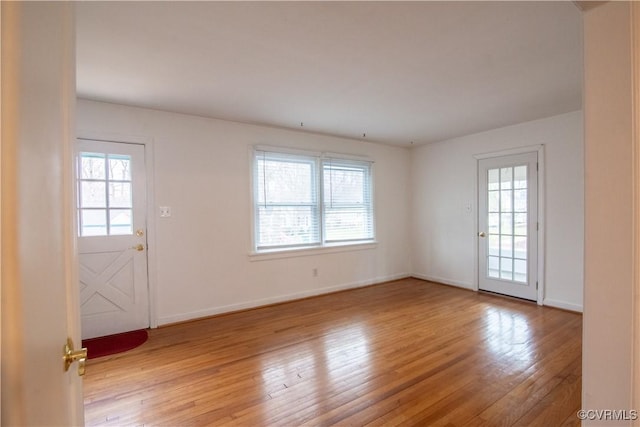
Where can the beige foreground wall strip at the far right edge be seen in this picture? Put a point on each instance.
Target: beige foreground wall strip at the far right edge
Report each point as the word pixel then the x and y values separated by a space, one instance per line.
pixel 609 222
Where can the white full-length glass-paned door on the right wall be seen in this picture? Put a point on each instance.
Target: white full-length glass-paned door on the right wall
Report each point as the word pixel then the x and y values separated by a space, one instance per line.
pixel 508 222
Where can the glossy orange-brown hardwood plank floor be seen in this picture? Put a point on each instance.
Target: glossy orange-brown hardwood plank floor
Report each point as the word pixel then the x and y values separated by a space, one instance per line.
pixel 407 352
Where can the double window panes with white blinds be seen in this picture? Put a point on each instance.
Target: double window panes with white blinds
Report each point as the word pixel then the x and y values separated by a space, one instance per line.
pixel 310 200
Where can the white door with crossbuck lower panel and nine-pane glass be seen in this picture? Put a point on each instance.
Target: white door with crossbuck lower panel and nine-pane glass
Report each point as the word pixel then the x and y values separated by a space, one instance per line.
pixel 112 242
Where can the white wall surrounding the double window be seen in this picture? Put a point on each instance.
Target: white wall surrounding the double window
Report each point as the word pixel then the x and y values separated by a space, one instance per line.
pixel 202 171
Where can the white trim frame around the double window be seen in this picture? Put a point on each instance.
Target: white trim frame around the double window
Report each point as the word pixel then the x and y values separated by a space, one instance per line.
pixel 323 246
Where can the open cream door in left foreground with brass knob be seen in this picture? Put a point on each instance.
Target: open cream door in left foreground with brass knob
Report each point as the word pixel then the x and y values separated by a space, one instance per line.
pixel 39 291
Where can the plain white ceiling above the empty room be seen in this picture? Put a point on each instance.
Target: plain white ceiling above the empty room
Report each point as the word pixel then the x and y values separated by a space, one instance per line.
pixel 395 71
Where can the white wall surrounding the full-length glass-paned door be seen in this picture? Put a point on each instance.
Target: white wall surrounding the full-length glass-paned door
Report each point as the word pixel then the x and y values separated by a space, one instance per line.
pixel 444 182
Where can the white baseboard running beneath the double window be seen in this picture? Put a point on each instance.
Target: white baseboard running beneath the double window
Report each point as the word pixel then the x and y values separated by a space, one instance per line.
pixel 182 317
